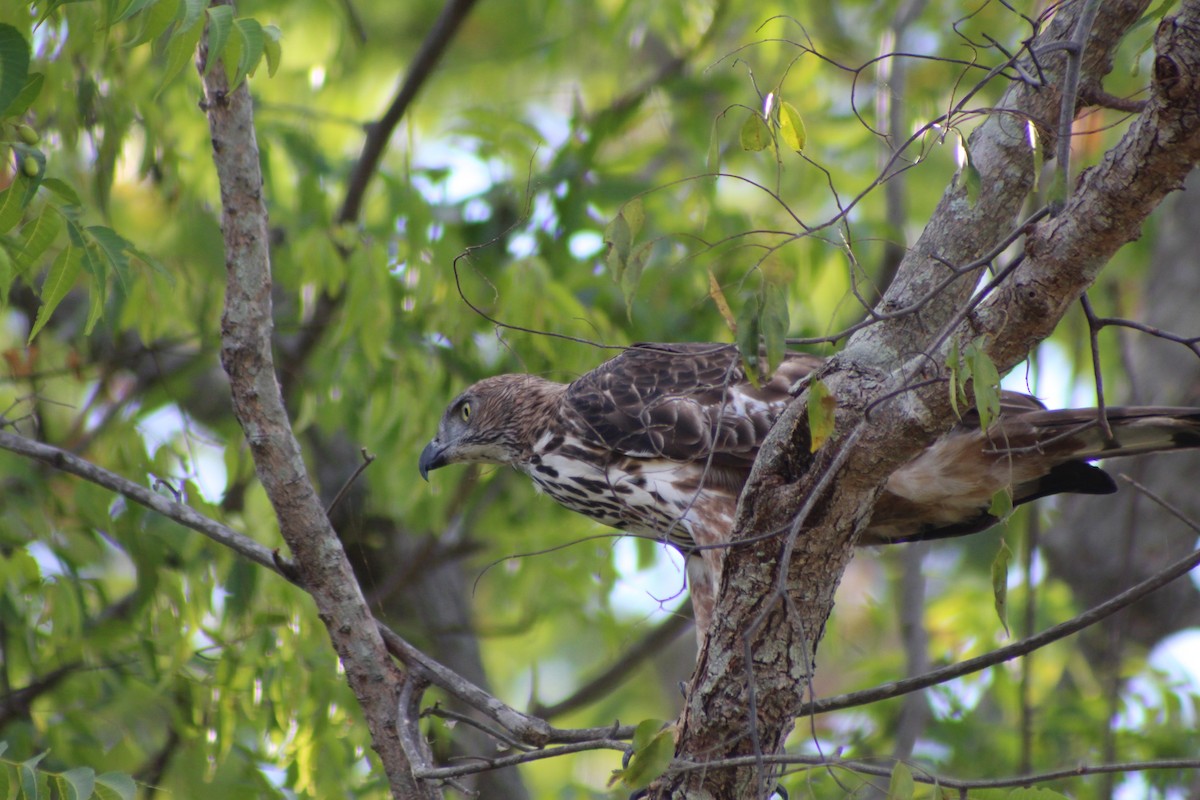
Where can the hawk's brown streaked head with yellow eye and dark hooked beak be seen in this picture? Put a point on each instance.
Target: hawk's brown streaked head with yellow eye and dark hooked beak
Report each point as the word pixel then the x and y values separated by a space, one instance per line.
pixel 493 423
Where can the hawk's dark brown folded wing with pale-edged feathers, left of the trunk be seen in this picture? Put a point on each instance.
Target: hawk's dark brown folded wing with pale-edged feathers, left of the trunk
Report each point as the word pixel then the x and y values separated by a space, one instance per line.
pixel 685 402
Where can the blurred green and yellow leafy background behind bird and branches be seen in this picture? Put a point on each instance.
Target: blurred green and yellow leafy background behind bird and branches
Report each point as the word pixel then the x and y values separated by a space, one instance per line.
pixel 130 645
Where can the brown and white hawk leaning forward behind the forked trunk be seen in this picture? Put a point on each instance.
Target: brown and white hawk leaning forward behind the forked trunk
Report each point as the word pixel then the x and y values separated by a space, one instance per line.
pixel 659 442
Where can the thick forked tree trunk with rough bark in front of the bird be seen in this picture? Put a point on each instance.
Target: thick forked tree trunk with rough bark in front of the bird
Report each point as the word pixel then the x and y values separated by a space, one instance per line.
pixel 778 590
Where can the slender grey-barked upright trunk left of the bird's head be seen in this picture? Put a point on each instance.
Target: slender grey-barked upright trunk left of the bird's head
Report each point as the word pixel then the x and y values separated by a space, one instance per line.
pixel 259 405
